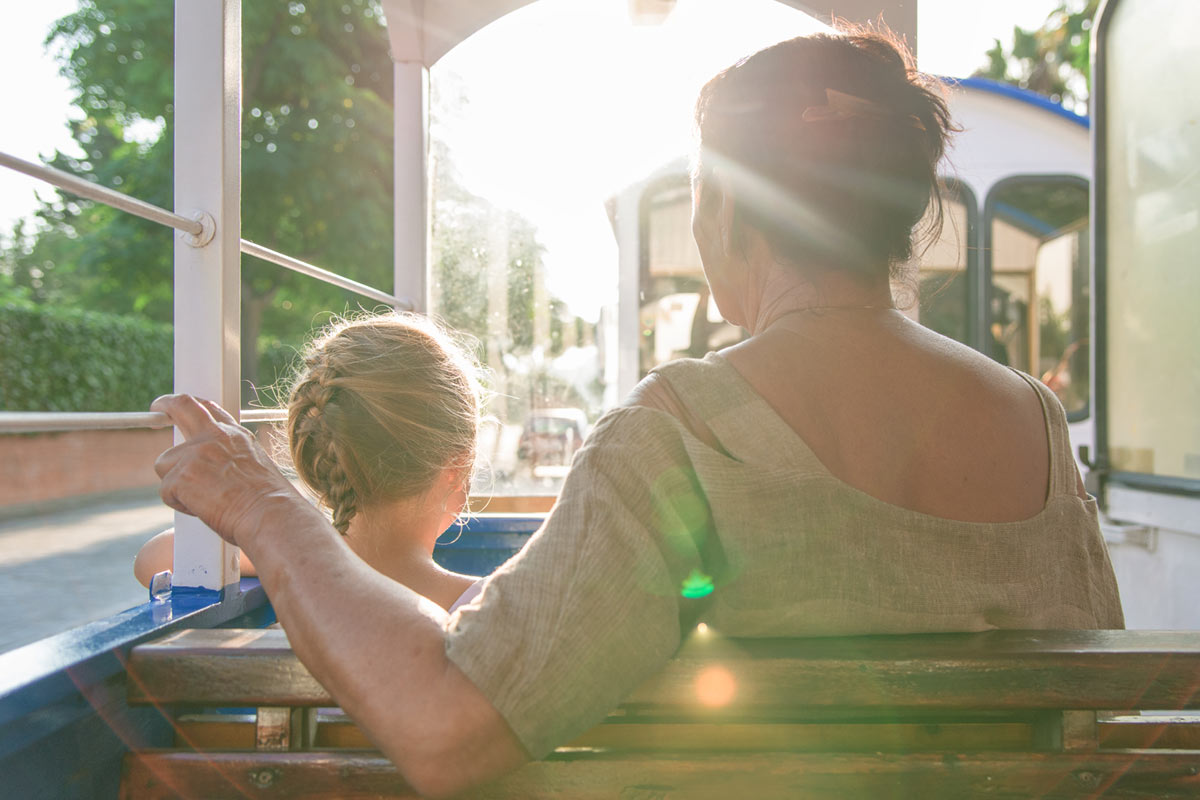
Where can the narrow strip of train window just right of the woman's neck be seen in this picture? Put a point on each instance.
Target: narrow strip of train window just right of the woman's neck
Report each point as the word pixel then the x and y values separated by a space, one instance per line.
pixel 943 278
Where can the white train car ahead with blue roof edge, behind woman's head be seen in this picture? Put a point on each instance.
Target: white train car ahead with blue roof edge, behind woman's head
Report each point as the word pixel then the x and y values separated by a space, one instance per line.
pixel 1009 275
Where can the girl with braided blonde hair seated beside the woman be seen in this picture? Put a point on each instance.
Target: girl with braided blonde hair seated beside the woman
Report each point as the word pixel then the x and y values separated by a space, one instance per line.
pixel 382 428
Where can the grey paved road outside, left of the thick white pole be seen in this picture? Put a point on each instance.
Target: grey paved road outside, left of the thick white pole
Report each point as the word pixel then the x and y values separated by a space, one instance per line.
pixel 69 568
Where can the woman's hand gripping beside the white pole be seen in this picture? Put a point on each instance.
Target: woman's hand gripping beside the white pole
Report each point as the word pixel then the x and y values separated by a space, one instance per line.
pixel 220 474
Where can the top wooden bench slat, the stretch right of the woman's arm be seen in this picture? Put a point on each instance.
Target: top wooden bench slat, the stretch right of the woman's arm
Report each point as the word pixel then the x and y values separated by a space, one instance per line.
pixel 997 670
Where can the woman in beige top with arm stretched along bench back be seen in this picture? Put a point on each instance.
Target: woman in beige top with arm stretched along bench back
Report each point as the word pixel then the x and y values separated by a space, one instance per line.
pixel 843 471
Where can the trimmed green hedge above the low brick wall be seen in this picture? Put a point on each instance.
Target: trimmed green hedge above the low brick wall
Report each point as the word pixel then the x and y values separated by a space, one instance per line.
pixel 70 360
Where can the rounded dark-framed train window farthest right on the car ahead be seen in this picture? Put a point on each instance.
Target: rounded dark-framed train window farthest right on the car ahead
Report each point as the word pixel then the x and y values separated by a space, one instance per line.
pixel 1040 294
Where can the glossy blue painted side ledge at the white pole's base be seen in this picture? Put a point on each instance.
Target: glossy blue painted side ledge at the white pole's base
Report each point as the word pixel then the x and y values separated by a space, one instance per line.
pixel 45 672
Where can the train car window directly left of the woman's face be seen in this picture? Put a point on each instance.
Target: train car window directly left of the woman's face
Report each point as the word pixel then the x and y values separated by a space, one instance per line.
pixel 677 317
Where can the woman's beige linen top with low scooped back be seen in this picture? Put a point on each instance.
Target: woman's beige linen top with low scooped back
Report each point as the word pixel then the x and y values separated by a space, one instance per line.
pixel 593 604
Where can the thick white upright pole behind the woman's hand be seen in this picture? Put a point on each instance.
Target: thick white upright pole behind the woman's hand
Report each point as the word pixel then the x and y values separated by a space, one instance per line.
pixel 208 177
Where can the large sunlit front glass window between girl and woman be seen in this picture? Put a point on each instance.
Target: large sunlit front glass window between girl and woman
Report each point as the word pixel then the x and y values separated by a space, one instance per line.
pixel 539 124
